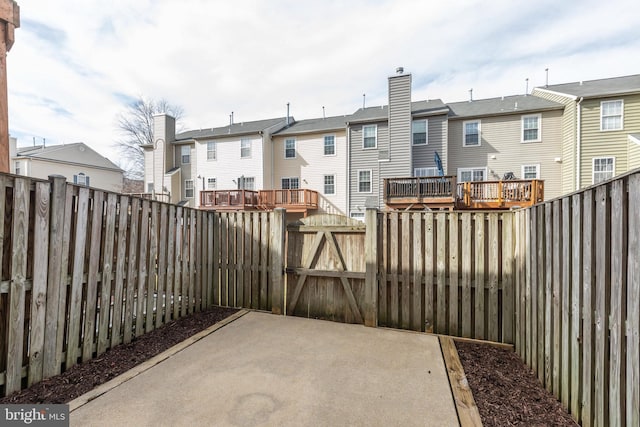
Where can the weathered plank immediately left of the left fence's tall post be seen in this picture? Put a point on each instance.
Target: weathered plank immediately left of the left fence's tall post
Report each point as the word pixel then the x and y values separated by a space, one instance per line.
pixel 39 288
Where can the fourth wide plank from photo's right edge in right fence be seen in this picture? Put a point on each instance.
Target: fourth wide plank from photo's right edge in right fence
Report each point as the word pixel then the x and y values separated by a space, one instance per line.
pixel 588 295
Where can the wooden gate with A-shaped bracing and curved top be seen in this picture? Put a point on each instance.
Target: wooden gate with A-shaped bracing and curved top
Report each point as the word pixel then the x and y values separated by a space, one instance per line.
pixel 326 268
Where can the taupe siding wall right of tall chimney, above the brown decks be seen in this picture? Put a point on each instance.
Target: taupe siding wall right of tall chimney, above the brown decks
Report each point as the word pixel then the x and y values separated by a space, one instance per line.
pixel 501 137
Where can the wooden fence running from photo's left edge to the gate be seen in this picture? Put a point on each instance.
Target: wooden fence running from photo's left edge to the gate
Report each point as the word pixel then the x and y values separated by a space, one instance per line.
pixel 84 270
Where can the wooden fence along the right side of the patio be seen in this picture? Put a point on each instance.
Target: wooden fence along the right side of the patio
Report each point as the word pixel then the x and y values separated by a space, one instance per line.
pixel 578 299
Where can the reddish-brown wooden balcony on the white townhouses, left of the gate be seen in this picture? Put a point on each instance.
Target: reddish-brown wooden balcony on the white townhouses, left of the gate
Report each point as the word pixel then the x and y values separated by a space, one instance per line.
pixel 298 200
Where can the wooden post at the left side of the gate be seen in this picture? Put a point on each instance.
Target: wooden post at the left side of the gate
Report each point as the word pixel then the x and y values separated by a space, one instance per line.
pixel 277 248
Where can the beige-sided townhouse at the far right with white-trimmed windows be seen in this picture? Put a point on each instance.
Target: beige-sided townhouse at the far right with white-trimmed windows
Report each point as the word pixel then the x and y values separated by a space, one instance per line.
pixel 600 128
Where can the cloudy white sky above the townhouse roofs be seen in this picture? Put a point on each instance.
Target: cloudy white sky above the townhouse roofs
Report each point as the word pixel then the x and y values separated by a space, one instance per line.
pixel 76 64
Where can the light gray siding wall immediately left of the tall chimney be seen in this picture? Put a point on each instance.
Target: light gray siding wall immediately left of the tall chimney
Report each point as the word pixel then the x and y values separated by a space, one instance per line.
pixel 360 159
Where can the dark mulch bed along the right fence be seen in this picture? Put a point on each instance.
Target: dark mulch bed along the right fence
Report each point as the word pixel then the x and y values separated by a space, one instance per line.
pixel 506 391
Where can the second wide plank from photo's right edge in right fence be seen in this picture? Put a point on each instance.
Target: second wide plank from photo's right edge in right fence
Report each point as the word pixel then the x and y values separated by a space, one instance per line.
pixel 618 292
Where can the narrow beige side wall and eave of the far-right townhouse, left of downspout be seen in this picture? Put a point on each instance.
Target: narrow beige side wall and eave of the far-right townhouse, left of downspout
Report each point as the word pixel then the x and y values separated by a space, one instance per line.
pixel 569 148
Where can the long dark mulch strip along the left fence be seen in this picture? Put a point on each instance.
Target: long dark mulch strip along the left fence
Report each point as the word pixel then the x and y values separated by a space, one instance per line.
pixel 84 377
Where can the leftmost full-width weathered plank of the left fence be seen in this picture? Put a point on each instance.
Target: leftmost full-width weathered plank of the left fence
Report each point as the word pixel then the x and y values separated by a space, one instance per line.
pixel 19 249
